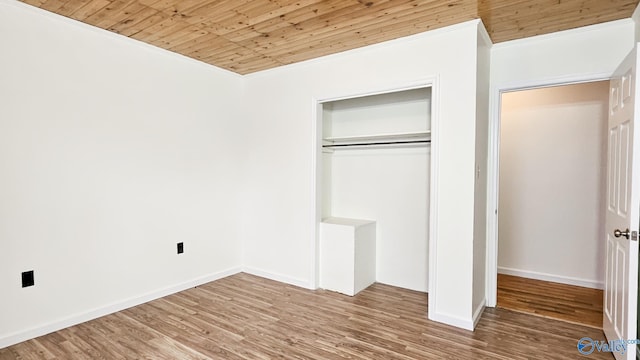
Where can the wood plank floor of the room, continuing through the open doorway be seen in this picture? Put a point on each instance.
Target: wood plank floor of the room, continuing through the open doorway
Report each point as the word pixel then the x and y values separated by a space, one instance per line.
pixel 247 317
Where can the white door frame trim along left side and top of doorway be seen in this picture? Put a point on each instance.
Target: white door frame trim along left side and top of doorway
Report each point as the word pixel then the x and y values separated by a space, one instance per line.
pixel 493 164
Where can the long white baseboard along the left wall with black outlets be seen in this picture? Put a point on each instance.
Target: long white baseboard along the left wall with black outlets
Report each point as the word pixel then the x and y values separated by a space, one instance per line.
pixel 24 335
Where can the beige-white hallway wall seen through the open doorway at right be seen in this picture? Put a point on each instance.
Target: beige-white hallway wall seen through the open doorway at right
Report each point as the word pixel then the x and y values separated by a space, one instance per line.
pixel 552 161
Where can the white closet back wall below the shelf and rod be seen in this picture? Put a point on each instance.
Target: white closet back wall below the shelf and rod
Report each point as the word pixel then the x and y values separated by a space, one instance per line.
pixel 391 187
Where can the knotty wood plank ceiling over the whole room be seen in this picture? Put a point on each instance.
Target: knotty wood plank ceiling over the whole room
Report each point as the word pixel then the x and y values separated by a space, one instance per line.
pixel 245 36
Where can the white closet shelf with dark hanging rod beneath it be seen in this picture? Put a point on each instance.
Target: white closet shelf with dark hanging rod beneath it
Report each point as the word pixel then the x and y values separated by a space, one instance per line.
pixel 403 139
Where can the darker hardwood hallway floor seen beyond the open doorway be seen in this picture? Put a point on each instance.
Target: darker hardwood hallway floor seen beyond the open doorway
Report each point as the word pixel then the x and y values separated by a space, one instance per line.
pixel 575 304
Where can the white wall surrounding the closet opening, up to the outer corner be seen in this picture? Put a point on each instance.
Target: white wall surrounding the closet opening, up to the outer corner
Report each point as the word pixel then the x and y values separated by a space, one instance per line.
pixel 279 224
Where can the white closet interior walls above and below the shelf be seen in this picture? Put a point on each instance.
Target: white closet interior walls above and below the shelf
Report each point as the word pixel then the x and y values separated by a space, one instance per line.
pixel 389 185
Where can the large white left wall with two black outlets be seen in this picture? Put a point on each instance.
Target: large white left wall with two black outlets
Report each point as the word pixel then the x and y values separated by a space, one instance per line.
pixel 111 152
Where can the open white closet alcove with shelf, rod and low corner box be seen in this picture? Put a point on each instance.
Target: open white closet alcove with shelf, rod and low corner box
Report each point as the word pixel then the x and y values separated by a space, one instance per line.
pixel 375 173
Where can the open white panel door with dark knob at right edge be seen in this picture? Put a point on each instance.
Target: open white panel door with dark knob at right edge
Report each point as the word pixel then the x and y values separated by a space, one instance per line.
pixel 623 206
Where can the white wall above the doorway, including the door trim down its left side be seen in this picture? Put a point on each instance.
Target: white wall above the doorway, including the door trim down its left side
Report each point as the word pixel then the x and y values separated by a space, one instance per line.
pixel 588 53
